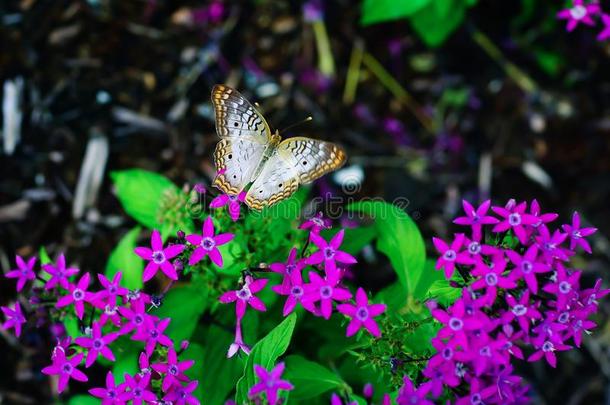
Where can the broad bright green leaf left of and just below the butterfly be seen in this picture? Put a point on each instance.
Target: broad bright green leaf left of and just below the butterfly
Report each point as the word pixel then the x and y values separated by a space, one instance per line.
pixel 141 193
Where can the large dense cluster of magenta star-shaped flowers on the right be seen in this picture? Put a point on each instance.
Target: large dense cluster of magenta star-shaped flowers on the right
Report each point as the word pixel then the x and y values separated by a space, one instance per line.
pixel 519 296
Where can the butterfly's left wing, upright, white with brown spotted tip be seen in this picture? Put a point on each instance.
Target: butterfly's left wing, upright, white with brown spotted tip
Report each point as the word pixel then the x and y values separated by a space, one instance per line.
pixel 244 136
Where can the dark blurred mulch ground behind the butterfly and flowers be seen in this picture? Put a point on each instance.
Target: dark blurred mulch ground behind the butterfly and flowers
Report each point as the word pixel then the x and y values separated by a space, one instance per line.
pixel 434 100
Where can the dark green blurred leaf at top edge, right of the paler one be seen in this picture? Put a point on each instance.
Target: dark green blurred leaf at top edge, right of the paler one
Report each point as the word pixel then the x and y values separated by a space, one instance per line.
pixel 435 22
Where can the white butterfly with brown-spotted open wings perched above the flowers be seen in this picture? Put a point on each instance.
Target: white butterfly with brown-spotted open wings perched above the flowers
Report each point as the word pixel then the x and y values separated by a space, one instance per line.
pixel 249 153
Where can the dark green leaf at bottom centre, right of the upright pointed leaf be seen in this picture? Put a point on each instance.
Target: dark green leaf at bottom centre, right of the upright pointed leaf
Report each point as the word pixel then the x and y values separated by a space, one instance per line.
pixel 310 379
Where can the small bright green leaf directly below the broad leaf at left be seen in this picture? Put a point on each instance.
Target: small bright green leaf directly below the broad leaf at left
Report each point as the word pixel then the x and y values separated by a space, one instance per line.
pixel 125 260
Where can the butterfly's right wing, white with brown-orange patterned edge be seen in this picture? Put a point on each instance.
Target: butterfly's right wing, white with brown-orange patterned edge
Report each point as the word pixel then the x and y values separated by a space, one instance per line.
pixel 295 161
